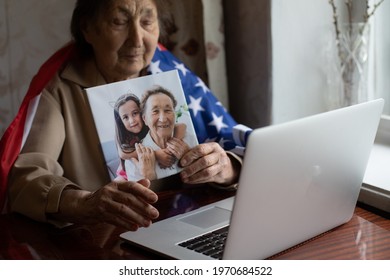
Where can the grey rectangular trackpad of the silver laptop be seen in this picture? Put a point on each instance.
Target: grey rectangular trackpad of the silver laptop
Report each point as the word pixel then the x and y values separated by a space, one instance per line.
pixel 208 217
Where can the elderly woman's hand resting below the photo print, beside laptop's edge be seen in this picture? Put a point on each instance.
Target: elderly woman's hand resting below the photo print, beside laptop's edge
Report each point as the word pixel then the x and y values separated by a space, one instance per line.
pixel 126 204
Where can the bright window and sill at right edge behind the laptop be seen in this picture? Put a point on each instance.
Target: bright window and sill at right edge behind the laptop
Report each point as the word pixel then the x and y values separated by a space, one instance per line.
pixel 376 188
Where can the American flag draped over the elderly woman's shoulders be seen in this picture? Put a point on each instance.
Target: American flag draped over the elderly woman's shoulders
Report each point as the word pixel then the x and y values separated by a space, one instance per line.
pixel 211 121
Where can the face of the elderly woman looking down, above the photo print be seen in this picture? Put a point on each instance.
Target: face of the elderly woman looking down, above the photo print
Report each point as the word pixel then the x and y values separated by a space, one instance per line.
pixel 124 38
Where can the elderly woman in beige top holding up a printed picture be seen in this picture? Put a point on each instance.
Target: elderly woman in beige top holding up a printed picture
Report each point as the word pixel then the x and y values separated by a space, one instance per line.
pixel 60 175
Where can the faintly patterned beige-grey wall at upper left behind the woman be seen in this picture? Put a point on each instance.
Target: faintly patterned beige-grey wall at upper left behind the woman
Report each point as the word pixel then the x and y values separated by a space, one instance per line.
pixel 25 43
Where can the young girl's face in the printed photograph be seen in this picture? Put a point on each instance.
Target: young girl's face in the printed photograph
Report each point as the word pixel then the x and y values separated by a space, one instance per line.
pixel 131 116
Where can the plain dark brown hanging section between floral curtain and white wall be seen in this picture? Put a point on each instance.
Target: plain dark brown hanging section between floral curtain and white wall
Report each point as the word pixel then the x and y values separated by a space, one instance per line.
pixel 249 60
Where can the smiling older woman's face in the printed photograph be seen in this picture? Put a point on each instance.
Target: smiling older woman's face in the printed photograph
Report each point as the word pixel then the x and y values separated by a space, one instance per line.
pixel 159 116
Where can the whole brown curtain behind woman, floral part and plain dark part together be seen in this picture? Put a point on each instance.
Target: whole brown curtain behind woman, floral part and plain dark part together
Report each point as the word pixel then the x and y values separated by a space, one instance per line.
pixel 228 44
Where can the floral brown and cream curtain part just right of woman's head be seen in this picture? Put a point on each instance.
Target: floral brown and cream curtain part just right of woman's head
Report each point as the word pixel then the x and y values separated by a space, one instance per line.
pixel 197 38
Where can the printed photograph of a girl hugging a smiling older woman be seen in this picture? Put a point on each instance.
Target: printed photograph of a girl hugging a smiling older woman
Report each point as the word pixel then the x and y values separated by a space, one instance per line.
pixel 144 125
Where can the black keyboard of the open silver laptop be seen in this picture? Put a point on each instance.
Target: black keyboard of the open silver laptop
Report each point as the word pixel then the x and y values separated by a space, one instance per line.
pixel 210 244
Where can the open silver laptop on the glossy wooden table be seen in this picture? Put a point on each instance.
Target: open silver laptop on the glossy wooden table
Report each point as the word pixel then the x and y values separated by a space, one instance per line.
pixel 299 179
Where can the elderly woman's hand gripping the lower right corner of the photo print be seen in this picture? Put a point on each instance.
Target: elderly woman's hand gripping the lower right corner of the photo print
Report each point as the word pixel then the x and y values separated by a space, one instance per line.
pixel 208 162
